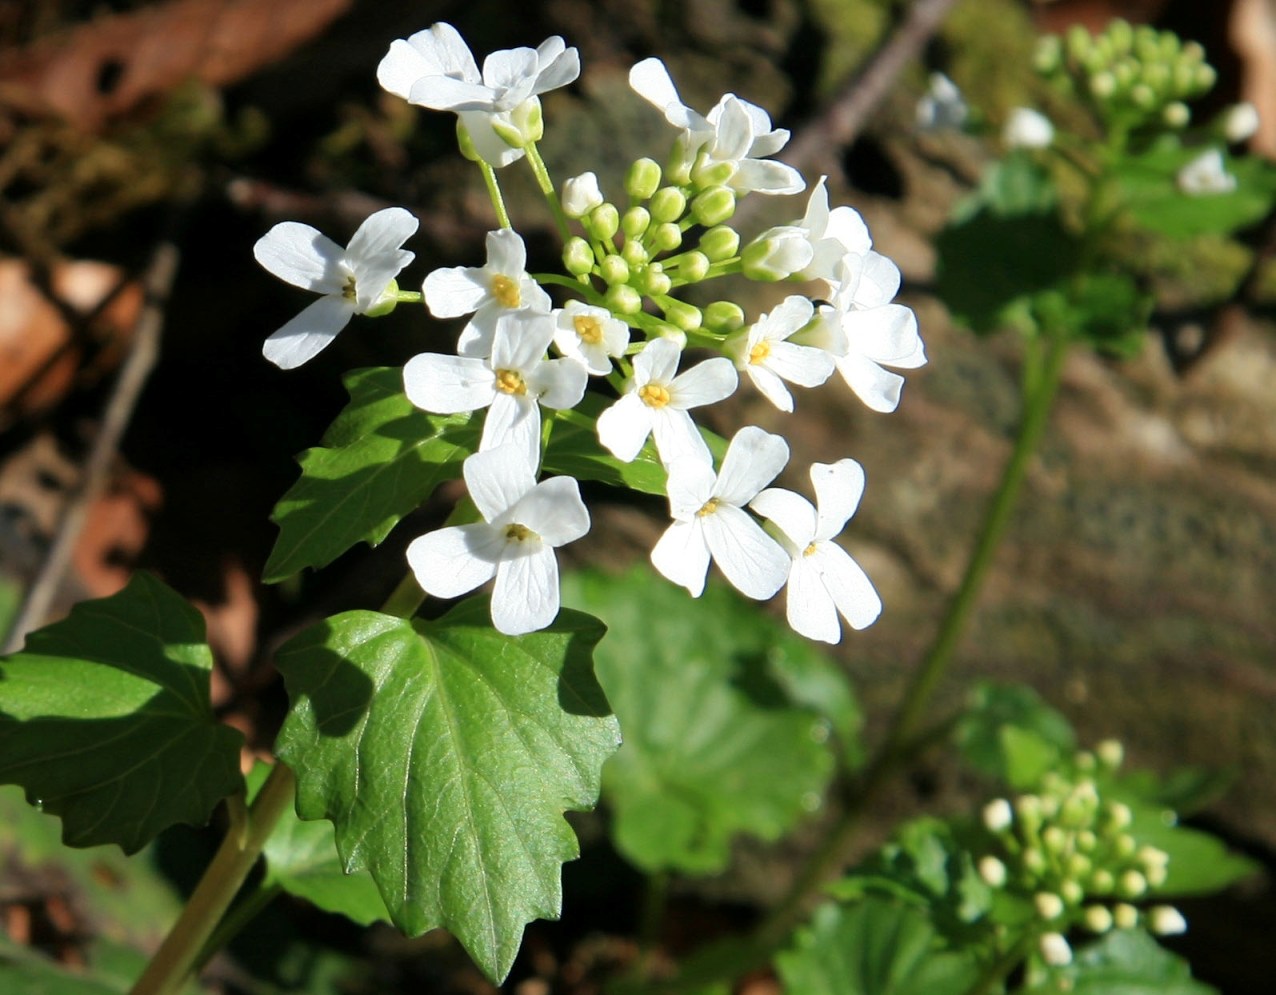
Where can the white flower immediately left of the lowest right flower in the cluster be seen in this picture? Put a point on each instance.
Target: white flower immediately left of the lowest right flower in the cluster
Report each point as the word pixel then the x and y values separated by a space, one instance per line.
pixel 710 520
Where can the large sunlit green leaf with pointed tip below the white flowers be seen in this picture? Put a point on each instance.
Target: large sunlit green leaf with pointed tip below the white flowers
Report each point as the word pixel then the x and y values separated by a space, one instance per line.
pixel 446 755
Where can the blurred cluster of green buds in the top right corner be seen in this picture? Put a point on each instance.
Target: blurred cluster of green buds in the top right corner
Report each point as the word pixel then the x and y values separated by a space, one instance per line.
pixel 1132 77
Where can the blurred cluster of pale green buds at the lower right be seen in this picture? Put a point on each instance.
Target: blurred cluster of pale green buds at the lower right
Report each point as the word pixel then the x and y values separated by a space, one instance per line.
pixel 1072 855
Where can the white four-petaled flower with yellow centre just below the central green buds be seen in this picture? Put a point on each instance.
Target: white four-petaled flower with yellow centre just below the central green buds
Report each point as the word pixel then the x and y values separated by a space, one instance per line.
pixel 657 404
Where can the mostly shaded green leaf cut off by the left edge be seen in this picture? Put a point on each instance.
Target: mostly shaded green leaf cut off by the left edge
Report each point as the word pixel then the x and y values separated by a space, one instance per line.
pixel 105 720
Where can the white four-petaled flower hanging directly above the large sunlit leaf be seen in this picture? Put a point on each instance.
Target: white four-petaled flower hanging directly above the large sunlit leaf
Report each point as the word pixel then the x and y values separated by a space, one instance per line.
pixel 524 524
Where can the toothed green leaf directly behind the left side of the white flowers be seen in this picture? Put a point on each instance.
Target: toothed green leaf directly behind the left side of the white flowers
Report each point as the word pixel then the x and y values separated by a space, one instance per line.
pixel 378 462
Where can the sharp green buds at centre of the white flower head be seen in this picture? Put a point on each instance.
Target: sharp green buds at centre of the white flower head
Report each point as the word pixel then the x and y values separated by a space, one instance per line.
pixel 642 252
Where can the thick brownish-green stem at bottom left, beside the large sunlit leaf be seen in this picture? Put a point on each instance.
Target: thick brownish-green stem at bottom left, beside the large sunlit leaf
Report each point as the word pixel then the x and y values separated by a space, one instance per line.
pixel 239 851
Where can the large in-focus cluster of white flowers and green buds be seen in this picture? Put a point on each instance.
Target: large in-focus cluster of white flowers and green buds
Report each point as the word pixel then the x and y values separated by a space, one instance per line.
pixel 525 360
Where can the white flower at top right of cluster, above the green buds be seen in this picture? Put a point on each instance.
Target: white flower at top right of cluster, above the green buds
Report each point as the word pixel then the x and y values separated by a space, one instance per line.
pixel 736 132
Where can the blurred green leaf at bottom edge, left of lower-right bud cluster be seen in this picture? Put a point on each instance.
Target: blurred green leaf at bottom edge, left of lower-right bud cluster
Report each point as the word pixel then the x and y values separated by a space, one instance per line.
pixel 876 947
